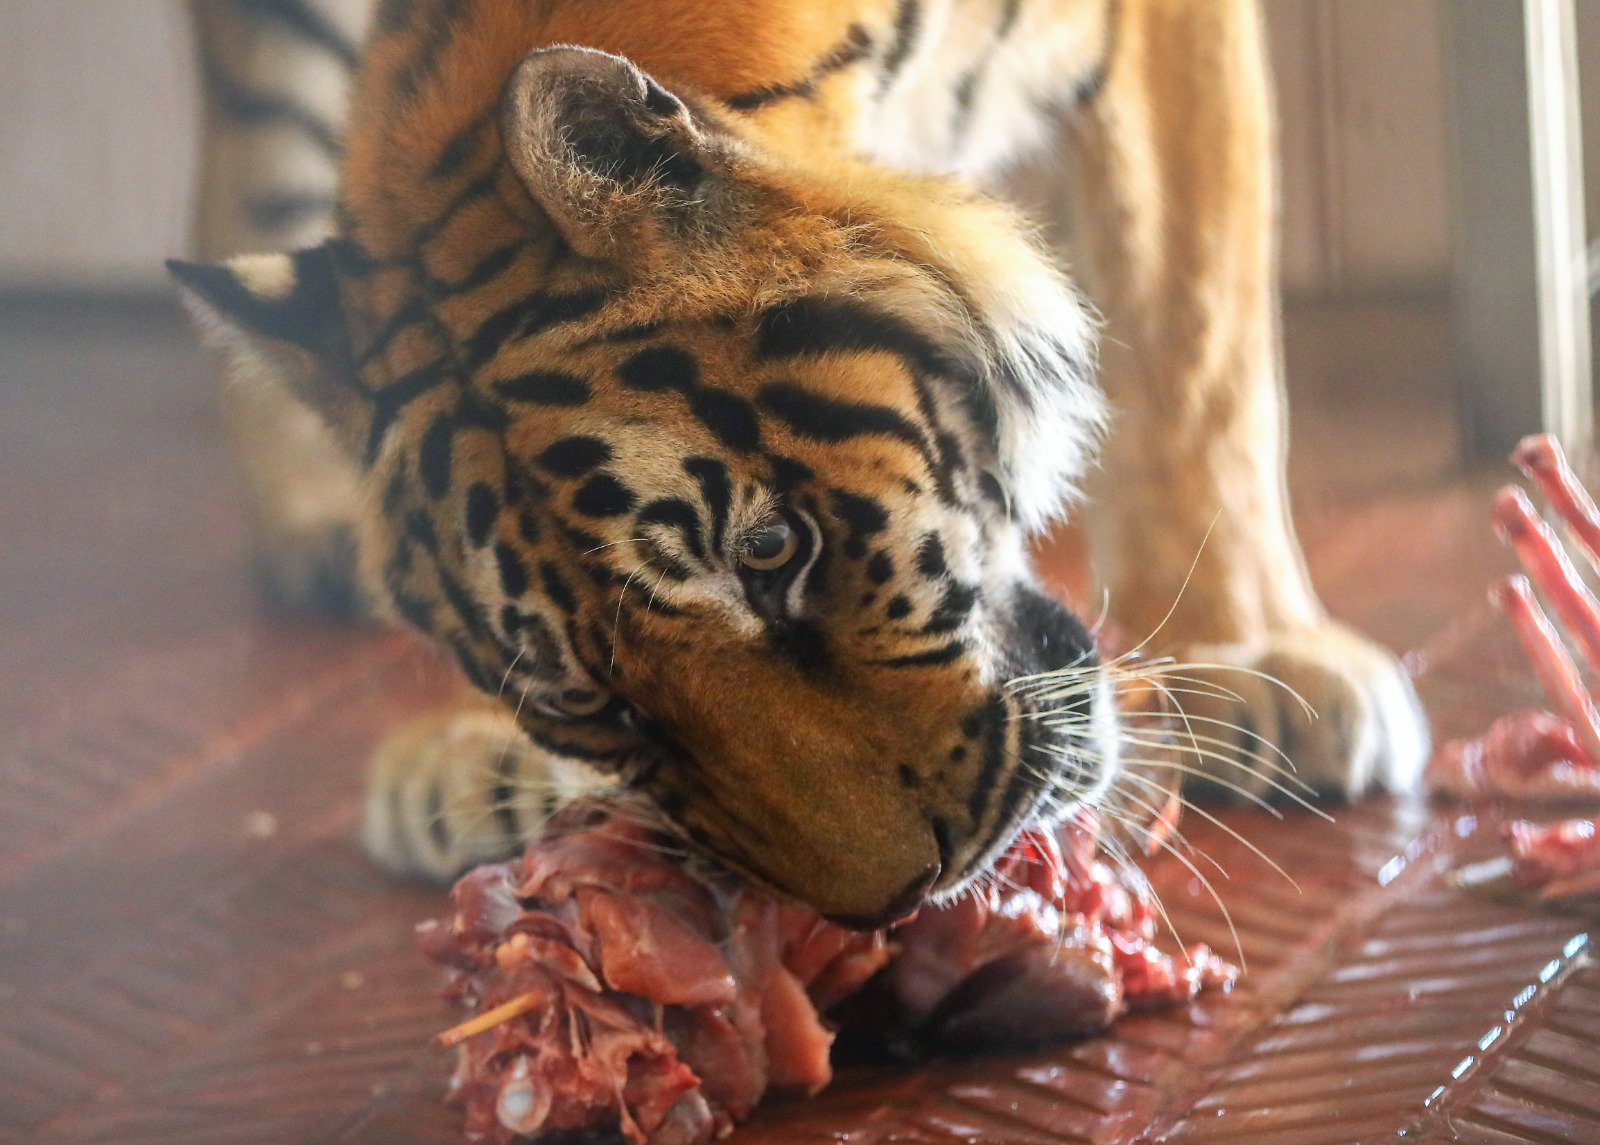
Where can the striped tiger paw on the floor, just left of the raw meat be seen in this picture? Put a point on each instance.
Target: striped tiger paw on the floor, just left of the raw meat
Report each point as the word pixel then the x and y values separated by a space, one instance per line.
pixel 465 788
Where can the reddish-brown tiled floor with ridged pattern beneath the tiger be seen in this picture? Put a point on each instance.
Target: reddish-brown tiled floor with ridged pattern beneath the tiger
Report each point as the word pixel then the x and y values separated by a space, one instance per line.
pixel 194 951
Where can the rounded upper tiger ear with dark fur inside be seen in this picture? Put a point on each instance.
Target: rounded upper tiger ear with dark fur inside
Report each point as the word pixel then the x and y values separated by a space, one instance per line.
pixel 614 158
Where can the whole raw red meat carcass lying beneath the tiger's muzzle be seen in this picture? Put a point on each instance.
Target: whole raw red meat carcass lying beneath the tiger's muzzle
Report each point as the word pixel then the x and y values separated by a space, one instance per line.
pixel 622 991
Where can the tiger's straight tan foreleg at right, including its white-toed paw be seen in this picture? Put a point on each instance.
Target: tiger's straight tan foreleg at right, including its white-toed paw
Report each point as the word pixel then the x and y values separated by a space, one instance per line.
pixel 1191 524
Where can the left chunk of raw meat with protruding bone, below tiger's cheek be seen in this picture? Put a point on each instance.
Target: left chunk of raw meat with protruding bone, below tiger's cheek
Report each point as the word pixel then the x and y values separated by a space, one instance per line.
pixel 618 992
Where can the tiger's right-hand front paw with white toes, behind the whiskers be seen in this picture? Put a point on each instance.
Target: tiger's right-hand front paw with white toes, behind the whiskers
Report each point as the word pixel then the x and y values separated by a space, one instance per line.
pixel 1319 711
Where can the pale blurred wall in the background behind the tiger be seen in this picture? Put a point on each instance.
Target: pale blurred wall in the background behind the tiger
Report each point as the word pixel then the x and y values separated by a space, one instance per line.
pixel 100 95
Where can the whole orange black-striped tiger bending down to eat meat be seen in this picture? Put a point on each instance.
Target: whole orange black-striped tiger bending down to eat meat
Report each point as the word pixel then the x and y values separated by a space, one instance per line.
pixel 689 377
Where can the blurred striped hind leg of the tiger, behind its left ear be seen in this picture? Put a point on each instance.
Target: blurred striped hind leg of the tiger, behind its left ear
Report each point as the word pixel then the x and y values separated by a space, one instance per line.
pixel 278 78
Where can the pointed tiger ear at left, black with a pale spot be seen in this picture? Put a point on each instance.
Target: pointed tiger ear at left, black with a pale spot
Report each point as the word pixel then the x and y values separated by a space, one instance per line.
pixel 279 321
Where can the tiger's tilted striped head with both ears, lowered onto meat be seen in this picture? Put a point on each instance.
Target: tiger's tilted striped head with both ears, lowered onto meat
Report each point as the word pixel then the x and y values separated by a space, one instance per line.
pixel 719 469
